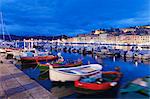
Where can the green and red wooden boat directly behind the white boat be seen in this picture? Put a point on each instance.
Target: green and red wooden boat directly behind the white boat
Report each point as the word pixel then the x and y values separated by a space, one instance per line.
pixel 45 67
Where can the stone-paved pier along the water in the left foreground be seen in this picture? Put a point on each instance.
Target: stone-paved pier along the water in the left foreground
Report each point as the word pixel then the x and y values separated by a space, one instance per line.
pixel 15 84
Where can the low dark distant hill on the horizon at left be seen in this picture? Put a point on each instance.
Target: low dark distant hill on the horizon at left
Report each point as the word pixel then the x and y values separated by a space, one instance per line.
pixel 14 37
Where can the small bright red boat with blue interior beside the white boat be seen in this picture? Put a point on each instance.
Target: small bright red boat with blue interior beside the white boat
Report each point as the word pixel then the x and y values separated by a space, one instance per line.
pixel 99 82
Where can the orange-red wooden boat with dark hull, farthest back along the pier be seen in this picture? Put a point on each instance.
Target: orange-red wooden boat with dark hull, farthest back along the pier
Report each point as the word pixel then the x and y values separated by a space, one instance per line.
pixel 32 60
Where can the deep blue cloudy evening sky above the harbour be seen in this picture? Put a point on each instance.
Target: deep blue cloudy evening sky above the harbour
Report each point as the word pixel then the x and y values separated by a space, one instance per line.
pixel 71 17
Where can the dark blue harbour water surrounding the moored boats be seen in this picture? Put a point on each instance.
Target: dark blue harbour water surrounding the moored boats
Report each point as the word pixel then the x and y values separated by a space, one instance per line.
pixel 129 69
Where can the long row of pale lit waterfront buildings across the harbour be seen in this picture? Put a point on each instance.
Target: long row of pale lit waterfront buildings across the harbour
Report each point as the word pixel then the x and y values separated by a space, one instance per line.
pixel 111 39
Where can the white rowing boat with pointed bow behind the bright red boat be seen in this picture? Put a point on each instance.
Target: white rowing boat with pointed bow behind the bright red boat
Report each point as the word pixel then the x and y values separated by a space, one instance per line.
pixel 72 73
